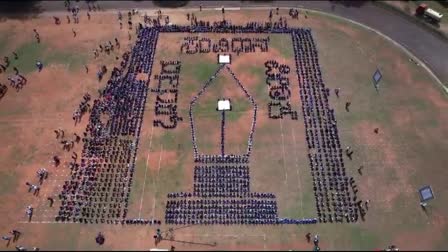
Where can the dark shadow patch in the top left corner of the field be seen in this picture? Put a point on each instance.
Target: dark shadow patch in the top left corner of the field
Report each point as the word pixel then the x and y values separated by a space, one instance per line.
pixel 19 9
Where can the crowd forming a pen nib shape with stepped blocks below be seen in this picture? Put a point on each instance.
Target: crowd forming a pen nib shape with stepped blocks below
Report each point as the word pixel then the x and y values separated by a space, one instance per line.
pixel 221 192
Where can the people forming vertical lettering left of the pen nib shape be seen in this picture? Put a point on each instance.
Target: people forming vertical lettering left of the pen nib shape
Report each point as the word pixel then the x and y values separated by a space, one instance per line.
pixel 167 93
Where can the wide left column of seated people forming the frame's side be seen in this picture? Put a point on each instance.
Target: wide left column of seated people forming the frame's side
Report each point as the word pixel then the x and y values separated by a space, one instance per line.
pixel 99 186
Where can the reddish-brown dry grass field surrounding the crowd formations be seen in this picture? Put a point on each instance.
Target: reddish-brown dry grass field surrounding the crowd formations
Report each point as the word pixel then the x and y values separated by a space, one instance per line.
pixel 409 151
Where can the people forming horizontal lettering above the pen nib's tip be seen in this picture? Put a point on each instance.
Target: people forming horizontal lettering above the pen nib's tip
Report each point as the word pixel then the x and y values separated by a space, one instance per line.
pixel 194 44
